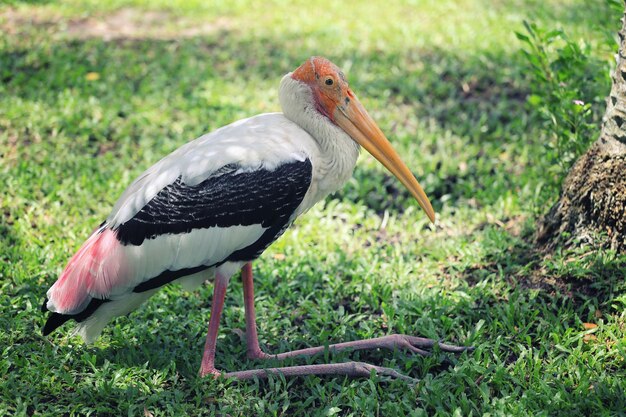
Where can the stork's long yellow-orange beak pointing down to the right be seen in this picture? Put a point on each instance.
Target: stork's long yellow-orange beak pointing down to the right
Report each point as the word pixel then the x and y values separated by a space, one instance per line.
pixel 355 121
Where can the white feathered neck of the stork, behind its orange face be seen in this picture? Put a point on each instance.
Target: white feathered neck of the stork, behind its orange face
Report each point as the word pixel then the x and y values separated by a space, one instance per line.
pixel 338 152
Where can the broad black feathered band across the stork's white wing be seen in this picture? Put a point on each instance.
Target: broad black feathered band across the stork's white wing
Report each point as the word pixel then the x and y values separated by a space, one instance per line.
pixel 229 197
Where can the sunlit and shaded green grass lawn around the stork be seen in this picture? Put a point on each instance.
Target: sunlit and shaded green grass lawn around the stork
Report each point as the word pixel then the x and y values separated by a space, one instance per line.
pixel 448 84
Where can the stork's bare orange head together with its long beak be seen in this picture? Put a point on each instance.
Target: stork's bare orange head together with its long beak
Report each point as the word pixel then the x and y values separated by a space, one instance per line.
pixel 335 100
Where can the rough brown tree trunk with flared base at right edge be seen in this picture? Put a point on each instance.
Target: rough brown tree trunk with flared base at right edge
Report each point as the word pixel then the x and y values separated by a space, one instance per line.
pixel 593 198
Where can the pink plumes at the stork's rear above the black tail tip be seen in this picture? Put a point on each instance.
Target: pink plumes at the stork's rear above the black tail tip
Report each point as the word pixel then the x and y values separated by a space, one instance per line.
pixel 93 272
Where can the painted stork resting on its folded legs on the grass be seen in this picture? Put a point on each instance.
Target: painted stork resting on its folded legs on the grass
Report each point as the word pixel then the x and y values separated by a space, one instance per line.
pixel 214 205
